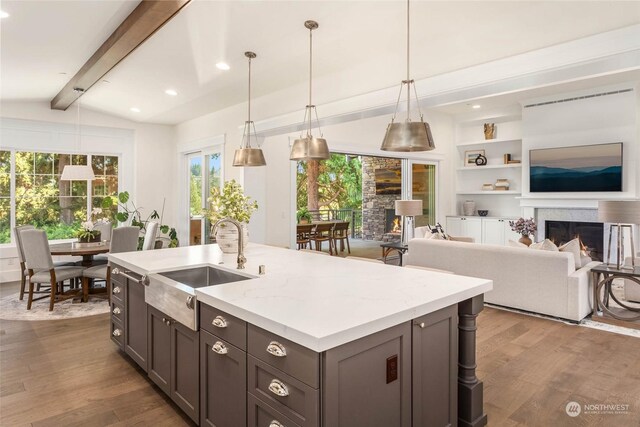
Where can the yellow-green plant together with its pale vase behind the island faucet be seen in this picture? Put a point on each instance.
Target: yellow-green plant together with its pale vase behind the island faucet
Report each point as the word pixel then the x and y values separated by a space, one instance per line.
pixel 230 202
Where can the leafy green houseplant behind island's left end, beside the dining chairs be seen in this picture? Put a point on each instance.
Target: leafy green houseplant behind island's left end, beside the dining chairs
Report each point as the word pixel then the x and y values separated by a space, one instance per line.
pixel 128 211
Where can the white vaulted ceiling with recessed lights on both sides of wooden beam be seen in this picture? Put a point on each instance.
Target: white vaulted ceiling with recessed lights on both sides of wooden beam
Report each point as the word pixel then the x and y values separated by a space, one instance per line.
pixel 44 38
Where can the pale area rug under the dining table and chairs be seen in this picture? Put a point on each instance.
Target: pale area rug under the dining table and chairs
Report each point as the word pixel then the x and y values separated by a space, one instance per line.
pixel 11 308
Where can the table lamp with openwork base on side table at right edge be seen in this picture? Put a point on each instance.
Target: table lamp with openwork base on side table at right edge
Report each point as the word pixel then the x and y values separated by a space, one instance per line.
pixel 620 214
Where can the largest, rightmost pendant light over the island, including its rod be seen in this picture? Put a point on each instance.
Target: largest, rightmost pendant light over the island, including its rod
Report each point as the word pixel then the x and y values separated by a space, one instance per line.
pixel 408 136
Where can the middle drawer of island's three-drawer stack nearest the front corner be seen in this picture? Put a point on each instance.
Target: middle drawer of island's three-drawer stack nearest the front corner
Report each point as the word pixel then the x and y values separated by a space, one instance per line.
pixel 286 394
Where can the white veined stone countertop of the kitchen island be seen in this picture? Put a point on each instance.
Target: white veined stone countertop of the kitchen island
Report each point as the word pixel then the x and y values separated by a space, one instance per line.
pixel 318 301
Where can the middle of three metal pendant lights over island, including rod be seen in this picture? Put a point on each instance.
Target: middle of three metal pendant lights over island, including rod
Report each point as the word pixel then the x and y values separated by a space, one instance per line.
pixel 309 147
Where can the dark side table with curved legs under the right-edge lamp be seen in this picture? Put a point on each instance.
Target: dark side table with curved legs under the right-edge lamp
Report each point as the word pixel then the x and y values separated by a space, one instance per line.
pixel 608 274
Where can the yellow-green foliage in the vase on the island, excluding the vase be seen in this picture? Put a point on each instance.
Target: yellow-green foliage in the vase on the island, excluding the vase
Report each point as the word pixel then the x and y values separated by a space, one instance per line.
pixel 230 202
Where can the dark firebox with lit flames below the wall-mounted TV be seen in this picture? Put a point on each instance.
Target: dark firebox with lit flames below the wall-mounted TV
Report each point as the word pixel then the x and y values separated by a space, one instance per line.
pixel 591 235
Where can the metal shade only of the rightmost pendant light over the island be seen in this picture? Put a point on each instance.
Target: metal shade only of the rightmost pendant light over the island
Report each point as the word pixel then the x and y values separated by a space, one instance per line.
pixel 408 136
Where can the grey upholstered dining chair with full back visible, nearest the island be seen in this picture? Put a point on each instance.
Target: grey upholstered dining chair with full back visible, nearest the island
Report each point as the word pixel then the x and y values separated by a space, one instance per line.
pixel 43 271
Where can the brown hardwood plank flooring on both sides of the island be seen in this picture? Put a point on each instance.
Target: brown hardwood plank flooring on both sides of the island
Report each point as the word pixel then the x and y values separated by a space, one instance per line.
pixel 69 373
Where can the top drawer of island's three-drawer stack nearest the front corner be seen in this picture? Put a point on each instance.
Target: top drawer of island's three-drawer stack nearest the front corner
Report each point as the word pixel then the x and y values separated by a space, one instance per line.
pixel 296 360
